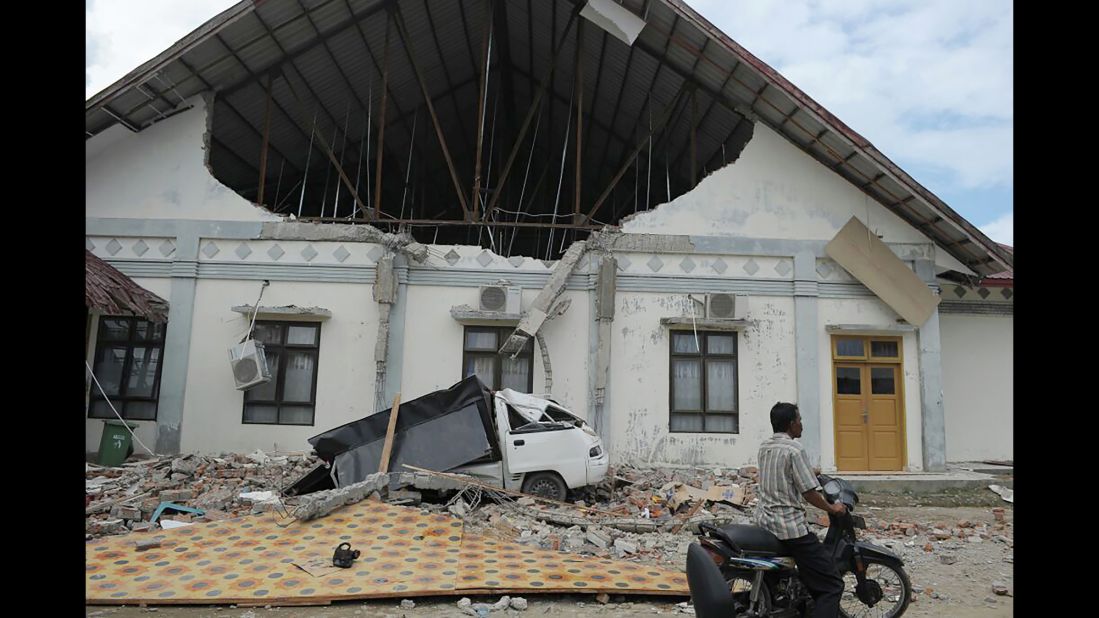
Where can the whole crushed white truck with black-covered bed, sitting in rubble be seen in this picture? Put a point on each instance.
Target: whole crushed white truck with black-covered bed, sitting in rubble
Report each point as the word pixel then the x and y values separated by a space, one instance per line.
pixel 505 438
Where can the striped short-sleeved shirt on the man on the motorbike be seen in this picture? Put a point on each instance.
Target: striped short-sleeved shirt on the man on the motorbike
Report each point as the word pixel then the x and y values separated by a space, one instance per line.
pixel 784 476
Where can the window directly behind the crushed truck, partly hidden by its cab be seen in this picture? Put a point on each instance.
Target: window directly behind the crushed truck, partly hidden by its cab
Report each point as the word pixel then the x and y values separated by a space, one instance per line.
pixel 480 357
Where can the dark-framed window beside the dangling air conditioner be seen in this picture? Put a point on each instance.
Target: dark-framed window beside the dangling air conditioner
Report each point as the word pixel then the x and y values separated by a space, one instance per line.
pixel 291 398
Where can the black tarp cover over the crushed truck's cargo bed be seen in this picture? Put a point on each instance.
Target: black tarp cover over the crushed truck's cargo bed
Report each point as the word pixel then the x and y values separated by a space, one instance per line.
pixel 438 432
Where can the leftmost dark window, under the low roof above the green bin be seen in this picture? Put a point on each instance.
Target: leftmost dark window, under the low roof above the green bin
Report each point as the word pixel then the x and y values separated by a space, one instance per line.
pixel 129 354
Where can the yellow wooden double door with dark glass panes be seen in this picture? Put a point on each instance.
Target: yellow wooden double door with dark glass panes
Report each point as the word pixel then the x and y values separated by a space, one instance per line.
pixel 869 404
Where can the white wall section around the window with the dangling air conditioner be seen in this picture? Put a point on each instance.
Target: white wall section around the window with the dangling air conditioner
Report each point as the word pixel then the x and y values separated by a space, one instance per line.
pixel 213 406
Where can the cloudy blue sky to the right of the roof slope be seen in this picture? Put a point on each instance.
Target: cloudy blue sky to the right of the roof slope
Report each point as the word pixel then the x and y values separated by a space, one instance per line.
pixel 929 83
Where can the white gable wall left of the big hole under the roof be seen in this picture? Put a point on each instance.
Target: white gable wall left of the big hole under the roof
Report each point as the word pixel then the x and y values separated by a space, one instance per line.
pixel 161 173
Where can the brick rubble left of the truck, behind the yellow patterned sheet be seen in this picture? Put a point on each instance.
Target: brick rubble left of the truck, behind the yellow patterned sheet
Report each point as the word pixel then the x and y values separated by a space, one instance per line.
pixel 123 500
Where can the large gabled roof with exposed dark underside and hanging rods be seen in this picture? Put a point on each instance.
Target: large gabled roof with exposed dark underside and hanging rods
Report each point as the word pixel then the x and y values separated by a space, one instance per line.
pixel 575 125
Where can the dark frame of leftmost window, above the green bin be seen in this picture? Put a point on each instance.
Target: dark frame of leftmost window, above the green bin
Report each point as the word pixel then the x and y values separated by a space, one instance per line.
pixel 123 401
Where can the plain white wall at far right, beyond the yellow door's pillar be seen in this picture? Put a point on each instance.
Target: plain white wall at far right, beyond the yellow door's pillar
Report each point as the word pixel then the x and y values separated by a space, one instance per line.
pixel 979 374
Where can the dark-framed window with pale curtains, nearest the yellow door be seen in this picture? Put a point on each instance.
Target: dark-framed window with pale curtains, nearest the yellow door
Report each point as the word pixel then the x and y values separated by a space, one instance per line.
pixel 704 383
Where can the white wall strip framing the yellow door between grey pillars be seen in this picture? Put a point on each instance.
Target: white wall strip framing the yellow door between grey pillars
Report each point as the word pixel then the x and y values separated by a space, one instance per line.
pixel 870 312
